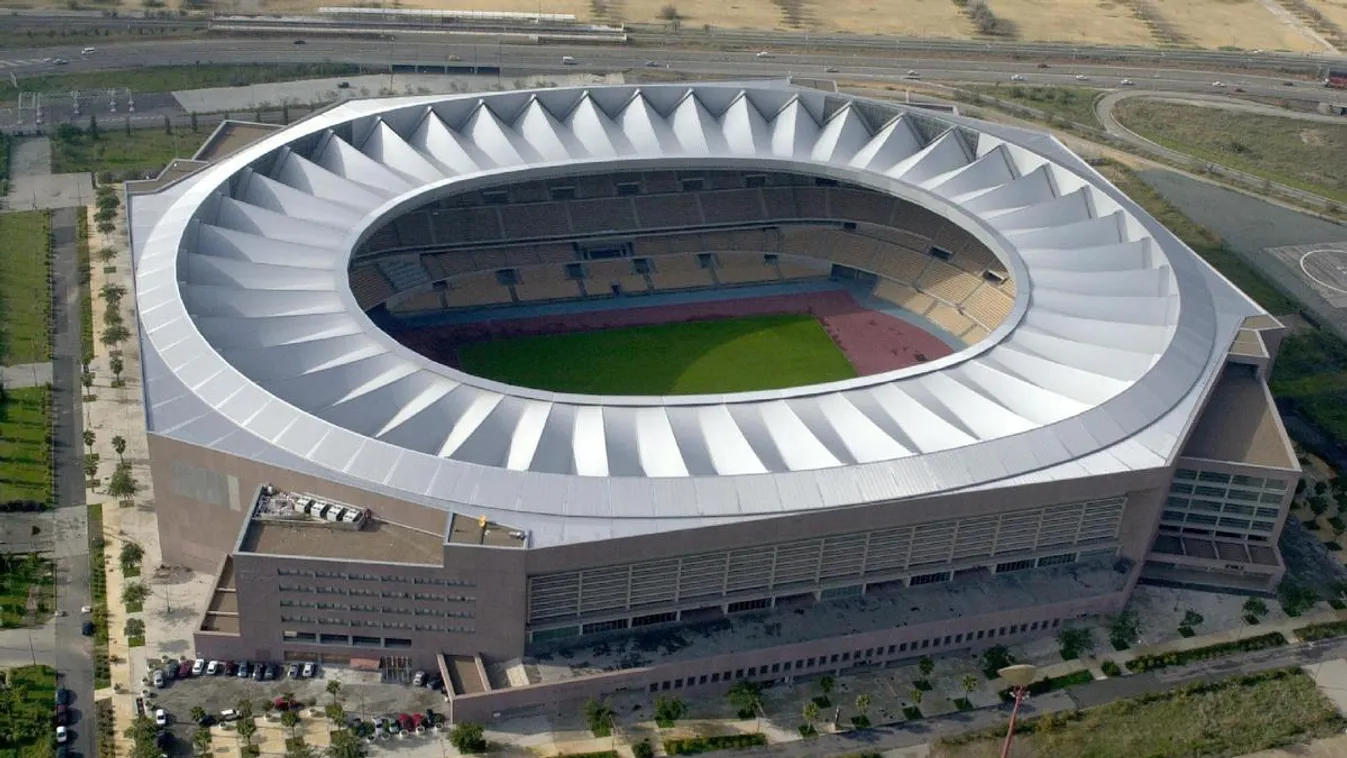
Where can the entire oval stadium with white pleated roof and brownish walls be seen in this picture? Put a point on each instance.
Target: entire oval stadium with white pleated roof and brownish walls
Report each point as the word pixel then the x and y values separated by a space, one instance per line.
pixel 665 387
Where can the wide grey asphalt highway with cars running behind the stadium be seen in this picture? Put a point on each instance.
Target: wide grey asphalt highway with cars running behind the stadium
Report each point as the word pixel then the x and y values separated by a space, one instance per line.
pixel 533 59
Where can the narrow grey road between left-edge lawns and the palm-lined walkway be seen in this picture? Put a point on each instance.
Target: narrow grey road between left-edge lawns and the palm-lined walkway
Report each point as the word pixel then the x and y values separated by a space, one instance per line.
pixel 73 652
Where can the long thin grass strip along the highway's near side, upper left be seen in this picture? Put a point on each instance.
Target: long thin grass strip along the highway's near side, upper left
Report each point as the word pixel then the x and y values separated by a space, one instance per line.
pixel 169 79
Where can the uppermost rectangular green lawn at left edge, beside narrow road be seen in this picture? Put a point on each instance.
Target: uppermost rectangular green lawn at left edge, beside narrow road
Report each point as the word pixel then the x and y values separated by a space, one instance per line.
pixel 25 305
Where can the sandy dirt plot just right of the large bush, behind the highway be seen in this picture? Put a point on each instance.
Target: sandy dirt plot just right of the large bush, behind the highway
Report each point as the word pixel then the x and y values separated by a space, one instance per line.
pixel 1074 21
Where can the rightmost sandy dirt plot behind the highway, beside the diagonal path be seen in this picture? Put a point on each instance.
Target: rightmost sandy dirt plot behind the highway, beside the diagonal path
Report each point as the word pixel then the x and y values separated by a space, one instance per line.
pixel 1239 24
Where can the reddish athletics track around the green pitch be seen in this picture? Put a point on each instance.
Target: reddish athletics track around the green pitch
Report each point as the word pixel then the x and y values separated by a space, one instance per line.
pixel 875 343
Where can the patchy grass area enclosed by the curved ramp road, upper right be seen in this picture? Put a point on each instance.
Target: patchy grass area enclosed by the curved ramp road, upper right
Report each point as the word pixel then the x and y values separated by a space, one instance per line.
pixel 1299 154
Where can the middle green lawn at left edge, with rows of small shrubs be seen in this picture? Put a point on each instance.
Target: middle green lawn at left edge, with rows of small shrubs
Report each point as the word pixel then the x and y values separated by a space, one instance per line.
pixel 25 454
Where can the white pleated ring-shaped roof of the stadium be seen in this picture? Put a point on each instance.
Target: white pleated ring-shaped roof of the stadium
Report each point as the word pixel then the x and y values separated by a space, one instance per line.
pixel 254 344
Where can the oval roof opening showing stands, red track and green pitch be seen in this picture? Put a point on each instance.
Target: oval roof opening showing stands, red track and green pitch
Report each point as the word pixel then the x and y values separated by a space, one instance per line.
pixel 723 281
